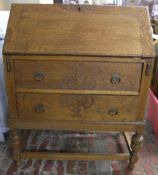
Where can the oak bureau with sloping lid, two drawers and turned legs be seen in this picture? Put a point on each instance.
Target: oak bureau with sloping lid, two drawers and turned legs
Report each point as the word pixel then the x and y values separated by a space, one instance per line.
pixel 77 68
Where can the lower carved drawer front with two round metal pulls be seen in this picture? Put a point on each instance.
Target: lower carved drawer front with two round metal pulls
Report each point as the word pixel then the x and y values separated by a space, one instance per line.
pixel 77 107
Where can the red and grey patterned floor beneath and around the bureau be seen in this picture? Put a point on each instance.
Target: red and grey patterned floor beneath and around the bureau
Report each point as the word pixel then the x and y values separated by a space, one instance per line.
pixel 98 142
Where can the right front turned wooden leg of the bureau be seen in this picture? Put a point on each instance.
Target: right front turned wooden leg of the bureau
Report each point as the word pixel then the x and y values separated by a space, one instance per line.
pixel 136 145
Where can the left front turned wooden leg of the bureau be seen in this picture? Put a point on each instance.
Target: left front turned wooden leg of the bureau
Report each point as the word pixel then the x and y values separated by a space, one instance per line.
pixel 16 145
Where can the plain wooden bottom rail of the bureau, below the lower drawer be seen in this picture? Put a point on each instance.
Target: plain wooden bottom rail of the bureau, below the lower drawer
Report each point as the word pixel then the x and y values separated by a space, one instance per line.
pixel 33 123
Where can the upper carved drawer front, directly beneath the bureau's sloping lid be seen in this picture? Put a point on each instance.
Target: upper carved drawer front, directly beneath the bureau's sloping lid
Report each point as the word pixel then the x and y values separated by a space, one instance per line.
pixel 77 75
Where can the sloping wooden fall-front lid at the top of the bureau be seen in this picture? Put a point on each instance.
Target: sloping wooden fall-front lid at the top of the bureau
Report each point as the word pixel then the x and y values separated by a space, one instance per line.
pixel 79 30
